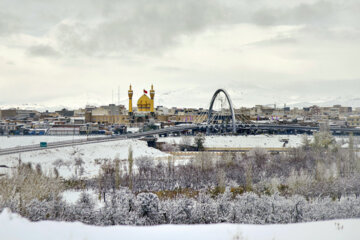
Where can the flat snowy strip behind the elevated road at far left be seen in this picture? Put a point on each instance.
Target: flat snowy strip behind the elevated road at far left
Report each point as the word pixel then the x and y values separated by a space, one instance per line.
pixel 17 141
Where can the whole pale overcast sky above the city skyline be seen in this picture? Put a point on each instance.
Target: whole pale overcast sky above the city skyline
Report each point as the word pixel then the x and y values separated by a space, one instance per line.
pixel 73 53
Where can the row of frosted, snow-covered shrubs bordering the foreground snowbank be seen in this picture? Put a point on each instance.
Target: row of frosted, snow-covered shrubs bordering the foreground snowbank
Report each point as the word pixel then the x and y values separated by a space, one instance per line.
pixel 146 209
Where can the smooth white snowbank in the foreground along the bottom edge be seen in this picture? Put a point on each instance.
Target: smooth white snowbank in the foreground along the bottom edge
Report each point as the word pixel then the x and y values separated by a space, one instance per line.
pixel 328 230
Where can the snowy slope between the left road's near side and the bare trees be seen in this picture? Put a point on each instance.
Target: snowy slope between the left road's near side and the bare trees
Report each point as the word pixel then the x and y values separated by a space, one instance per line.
pixel 93 155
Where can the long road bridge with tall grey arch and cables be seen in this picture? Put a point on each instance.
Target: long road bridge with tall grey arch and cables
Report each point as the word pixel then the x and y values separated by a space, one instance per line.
pixel 210 126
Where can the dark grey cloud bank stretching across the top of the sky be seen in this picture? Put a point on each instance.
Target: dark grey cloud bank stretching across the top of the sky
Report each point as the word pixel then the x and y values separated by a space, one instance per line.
pixel 118 28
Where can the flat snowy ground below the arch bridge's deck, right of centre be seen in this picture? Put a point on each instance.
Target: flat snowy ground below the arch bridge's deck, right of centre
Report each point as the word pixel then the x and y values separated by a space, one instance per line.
pixel 265 141
